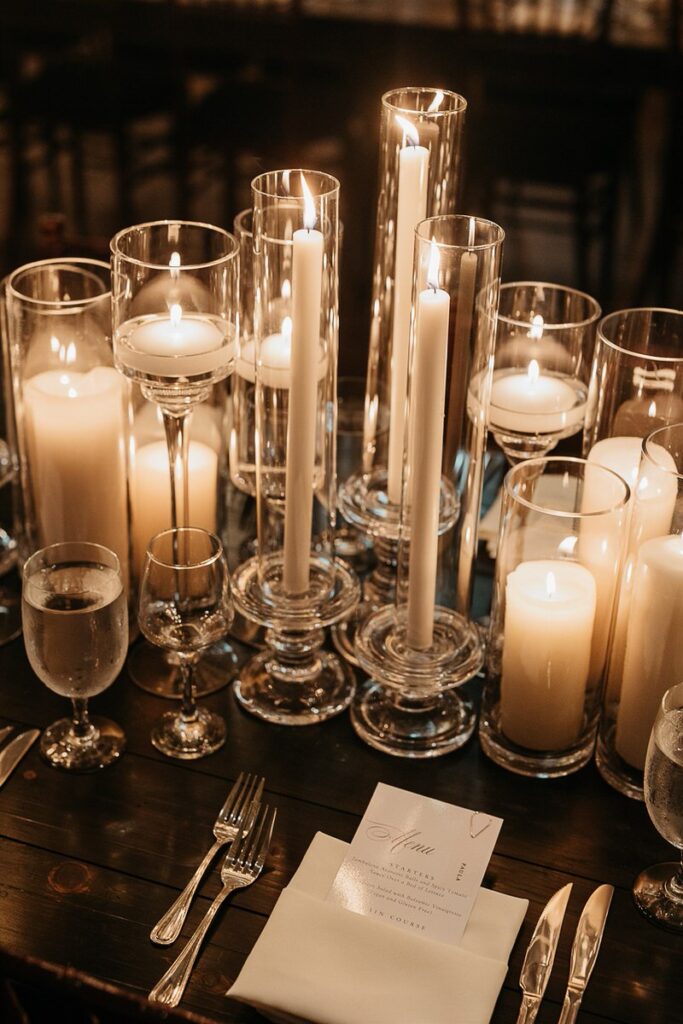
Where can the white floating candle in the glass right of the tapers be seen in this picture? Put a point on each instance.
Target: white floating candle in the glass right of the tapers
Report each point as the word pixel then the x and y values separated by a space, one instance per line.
pixel 534 403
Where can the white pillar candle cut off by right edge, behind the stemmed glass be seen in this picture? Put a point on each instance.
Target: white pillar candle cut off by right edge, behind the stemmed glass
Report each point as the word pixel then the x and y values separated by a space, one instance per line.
pixel 654 659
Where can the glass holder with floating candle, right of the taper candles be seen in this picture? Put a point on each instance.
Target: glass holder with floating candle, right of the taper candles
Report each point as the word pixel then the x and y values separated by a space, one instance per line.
pixel 544 351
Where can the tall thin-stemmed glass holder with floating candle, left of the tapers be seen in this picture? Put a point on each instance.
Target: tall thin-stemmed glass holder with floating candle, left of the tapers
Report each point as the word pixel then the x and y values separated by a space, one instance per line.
pixel 176 313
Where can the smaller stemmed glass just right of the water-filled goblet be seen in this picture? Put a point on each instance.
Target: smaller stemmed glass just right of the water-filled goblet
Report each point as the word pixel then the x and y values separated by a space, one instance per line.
pixel 185 608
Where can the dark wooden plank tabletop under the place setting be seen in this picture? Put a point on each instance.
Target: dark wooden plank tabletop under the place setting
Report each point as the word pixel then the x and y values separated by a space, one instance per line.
pixel 89 864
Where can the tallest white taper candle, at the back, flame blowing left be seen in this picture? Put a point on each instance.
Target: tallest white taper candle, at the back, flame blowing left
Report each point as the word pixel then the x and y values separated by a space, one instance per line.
pixel 413 181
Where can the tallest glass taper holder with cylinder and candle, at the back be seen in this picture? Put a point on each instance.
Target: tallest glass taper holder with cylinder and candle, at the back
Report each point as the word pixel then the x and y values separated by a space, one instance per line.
pixel 419 178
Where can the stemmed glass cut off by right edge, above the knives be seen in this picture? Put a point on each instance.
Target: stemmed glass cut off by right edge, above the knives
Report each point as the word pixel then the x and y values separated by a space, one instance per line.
pixel 659 890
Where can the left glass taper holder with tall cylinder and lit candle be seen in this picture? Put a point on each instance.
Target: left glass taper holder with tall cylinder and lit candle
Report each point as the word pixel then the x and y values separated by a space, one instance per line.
pixel 294 586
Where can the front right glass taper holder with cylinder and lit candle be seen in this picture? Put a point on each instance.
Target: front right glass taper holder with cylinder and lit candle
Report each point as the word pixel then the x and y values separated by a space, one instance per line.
pixel 416 650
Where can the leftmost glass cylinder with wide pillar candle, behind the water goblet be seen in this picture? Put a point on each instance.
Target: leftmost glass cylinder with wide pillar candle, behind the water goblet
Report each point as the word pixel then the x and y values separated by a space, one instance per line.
pixel 70 407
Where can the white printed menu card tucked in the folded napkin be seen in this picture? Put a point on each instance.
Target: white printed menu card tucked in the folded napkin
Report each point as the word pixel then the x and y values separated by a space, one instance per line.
pixel 416 864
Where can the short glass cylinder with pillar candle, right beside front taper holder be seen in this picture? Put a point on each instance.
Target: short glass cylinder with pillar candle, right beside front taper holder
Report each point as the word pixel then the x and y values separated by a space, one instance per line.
pixel 561 550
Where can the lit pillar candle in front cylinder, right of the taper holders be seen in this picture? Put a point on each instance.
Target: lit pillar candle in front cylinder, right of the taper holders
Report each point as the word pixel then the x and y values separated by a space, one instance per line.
pixel 549 617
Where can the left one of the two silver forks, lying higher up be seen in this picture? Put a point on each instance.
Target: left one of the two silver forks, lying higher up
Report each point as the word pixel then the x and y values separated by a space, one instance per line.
pixel 230 824
